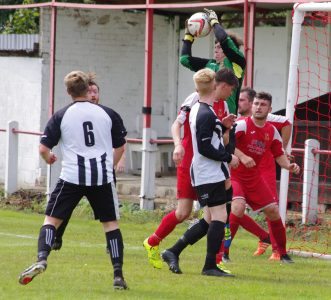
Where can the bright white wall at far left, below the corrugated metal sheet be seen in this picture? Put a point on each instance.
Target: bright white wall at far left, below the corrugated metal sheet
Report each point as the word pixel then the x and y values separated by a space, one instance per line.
pixel 20 100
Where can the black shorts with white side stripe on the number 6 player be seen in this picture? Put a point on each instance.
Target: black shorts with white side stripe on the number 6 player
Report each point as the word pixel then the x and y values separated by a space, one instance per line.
pixel 65 197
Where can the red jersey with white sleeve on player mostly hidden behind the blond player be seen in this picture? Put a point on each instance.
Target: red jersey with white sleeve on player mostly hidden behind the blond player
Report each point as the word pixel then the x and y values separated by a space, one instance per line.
pixel 221 109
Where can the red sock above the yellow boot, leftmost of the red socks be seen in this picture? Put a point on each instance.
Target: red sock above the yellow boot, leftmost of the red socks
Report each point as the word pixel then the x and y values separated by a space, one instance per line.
pixel 167 225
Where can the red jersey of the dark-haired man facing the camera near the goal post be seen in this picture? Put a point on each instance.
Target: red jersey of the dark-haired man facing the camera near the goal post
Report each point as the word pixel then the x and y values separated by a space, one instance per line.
pixel 255 141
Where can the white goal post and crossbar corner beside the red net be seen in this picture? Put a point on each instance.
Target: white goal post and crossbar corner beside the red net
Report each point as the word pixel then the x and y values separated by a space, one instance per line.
pixel 292 88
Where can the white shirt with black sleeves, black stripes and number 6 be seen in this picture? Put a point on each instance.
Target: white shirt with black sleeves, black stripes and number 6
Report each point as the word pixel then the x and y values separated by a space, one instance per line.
pixel 87 134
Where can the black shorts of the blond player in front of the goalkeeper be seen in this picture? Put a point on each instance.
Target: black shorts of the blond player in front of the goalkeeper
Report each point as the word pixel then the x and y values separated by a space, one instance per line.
pixel 211 194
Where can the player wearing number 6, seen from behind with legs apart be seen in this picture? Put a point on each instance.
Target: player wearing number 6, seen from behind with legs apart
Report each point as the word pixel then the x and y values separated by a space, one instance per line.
pixel 86 133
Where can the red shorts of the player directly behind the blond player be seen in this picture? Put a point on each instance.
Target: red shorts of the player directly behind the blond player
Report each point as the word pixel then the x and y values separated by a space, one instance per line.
pixel 185 190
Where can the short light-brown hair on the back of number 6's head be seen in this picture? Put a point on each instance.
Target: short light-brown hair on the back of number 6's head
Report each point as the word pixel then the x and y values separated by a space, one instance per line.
pixel 77 83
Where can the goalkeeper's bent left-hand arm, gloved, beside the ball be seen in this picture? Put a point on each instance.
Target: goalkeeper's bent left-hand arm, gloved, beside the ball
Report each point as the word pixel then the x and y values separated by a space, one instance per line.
pixel 186 59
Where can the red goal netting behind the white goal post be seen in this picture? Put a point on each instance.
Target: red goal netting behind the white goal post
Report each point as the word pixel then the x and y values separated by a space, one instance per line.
pixel 312 121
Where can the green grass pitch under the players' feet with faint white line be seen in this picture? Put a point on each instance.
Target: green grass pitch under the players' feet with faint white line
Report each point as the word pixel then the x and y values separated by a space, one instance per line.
pixel 82 270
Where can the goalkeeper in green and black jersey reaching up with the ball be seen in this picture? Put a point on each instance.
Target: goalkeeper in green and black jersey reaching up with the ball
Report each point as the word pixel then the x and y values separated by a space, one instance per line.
pixel 226 55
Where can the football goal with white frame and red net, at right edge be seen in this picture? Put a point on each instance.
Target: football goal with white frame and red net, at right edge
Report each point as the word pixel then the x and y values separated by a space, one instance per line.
pixel 308 195
